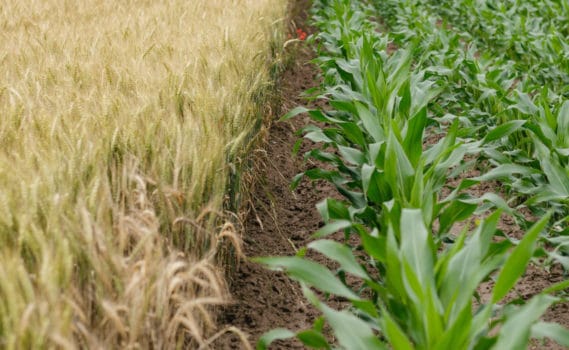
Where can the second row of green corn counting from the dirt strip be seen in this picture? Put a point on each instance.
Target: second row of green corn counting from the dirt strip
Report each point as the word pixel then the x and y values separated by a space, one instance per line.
pixel 495 102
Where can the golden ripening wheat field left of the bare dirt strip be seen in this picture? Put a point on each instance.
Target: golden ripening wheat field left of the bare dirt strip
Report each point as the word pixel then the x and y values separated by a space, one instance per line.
pixel 119 125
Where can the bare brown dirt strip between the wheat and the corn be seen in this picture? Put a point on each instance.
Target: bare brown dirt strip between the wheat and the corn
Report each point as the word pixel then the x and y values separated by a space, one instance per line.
pixel 279 223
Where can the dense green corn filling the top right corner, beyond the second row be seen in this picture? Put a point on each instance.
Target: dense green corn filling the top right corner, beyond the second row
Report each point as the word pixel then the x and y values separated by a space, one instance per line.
pixel 527 32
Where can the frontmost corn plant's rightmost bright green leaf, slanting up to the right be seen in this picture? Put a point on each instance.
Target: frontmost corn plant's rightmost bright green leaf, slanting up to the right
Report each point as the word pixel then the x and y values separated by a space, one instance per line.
pixel 518 260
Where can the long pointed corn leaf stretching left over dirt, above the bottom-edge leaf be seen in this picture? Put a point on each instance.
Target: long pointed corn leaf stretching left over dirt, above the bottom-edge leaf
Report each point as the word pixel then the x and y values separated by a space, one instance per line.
pixel 310 273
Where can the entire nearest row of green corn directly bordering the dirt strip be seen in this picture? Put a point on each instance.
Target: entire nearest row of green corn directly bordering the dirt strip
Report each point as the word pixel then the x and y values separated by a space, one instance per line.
pixel 407 286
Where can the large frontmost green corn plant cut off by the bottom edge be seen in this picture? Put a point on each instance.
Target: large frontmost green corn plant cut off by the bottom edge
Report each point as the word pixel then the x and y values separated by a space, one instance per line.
pixel 415 298
